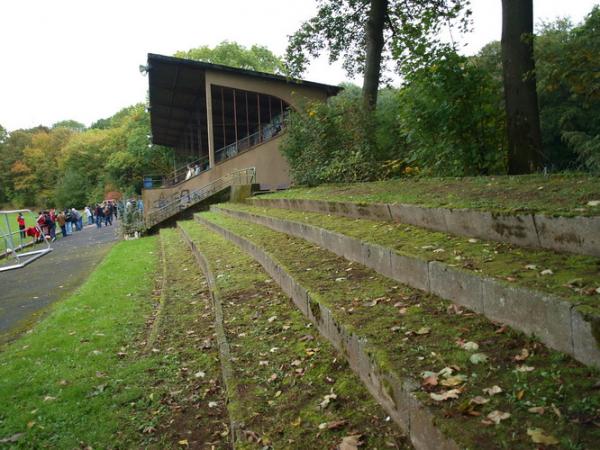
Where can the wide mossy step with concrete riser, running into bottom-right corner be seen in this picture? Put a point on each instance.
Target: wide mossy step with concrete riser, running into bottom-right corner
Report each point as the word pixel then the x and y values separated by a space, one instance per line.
pixel 451 377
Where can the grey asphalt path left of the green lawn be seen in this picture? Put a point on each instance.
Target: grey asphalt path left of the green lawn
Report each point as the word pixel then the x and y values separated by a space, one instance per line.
pixel 25 292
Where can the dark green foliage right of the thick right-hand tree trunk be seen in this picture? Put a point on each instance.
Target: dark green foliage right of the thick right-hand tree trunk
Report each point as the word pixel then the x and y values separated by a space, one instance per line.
pixel 569 91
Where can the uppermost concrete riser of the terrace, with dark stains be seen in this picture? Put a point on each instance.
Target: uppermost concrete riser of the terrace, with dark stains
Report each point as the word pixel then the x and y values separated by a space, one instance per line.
pixel 578 234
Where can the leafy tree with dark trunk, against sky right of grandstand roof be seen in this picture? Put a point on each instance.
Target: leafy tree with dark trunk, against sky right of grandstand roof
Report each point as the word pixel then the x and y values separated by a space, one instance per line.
pixel 367 33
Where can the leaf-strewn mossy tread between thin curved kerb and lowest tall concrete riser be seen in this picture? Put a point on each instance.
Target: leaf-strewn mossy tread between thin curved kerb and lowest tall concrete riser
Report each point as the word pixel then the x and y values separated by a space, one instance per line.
pixel 290 388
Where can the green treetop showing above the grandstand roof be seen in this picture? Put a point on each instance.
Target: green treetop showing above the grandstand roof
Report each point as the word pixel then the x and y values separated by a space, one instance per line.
pixel 257 57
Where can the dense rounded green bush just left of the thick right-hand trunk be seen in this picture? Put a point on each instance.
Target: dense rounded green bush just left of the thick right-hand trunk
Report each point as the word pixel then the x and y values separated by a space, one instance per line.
pixel 452 119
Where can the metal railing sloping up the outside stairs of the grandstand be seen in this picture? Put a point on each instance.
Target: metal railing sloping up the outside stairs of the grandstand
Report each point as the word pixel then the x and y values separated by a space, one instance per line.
pixel 238 177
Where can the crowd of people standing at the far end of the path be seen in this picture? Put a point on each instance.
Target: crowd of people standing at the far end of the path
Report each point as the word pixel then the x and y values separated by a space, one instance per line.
pixel 68 220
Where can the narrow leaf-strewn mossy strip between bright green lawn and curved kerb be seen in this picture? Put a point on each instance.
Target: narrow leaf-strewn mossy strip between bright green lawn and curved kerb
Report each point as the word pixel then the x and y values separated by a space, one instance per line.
pixel 192 411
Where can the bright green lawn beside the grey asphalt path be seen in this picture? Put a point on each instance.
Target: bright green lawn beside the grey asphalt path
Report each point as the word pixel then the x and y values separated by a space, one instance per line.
pixel 77 377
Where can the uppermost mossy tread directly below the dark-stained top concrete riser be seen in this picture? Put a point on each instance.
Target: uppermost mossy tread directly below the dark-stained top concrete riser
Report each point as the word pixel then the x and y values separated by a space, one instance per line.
pixel 574 277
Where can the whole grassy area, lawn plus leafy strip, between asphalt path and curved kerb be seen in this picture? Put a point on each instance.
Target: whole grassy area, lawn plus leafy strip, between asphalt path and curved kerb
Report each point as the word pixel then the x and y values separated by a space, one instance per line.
pixel 84 376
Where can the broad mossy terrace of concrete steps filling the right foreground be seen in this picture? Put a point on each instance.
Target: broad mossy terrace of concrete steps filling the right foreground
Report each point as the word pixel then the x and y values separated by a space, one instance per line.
pixel 463 342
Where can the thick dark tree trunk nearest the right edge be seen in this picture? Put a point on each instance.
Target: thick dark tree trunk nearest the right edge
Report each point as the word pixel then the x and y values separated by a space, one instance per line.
pixel 522 113
